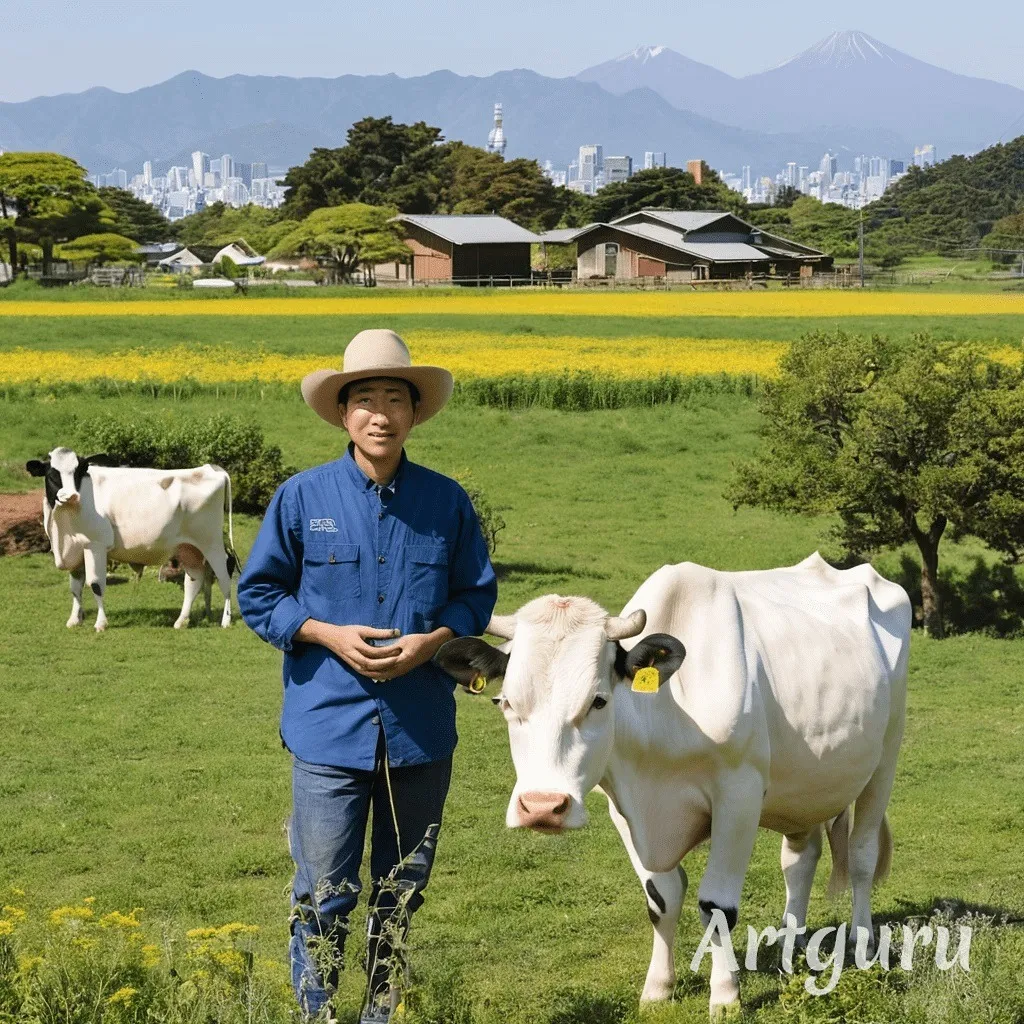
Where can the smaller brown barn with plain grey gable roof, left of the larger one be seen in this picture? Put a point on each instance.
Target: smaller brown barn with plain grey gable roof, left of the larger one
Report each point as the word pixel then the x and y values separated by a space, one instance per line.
pixel 468 247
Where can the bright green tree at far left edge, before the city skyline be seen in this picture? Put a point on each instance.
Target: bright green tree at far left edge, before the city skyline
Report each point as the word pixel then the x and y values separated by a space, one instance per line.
pixel 46 199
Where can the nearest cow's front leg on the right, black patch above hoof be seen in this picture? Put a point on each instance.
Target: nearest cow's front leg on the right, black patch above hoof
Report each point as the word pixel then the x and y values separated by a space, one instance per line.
pixel 736 814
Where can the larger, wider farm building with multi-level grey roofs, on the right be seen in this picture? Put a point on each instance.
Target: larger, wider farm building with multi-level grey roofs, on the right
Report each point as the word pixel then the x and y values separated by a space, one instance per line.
pixel 686 246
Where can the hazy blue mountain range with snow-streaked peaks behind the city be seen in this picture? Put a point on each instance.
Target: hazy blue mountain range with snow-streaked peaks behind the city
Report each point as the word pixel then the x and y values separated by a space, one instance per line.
pixel 847 94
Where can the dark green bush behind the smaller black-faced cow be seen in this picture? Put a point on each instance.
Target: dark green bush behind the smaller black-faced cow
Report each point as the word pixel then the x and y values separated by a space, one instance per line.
pixel 236 445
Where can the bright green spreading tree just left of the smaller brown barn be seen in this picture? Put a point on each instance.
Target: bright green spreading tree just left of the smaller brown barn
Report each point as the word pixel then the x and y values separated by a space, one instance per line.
pixel 347 238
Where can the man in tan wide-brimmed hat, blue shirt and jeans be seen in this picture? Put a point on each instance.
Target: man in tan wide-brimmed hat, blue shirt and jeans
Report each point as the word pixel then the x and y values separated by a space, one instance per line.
pixel 362 570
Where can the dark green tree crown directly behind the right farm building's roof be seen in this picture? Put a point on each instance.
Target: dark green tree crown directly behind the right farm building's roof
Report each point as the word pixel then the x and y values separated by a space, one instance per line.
pixel 666 188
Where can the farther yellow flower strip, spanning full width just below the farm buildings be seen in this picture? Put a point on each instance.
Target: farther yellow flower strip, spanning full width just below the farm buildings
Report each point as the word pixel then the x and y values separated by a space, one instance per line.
pixel 568 304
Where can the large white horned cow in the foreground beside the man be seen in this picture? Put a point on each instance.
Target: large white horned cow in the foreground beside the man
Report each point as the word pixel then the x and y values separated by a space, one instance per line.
pixel 785 708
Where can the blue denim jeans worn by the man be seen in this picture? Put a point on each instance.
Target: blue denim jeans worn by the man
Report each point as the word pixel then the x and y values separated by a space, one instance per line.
pixel 330 812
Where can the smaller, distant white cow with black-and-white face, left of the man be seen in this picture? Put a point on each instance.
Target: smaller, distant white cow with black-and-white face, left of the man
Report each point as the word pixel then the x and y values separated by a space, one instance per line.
pixel 94 511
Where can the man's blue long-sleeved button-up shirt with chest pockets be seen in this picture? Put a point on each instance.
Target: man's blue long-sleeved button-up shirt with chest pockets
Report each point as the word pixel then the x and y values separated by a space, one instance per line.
pixel 335 547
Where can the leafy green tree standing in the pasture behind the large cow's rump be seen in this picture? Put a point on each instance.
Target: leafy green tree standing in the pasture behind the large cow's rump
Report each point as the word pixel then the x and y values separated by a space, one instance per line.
pixel 901 443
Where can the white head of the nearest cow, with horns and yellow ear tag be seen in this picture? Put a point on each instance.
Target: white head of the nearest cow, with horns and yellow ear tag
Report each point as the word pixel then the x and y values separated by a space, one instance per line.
pixel 565 671
